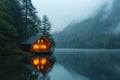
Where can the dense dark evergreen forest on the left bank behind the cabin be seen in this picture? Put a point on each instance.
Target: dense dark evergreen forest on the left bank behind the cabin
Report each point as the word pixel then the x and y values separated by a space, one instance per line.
pixel 13 22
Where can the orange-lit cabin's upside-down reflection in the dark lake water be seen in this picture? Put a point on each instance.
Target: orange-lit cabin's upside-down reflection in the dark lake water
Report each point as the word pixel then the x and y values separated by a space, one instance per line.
pixel 39 66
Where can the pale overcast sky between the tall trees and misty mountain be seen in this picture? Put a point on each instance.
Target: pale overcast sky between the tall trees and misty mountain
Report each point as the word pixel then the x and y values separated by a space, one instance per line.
pixel 62 12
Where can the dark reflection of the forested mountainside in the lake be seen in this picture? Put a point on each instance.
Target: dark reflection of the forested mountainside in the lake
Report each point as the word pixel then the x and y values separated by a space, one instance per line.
pixel 96 65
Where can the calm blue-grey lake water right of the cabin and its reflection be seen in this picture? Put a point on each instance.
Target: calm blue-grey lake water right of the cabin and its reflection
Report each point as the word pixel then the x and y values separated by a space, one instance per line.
pixel 86 64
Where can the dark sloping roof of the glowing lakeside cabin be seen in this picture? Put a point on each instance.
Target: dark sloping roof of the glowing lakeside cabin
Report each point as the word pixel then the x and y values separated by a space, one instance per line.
pixel 32 39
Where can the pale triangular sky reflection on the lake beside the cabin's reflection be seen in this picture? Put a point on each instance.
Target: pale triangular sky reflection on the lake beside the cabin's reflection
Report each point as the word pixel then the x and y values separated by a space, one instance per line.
pixel 61 73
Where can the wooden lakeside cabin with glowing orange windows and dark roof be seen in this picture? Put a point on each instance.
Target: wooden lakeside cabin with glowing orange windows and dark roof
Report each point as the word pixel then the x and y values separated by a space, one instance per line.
pixel 37 43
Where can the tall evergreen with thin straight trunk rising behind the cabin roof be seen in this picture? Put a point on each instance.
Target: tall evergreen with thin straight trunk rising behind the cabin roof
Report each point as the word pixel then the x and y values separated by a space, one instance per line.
pixel 31 20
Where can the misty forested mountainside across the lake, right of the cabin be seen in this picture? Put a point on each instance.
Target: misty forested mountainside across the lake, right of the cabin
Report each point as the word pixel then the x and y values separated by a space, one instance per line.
pixel 101 31
